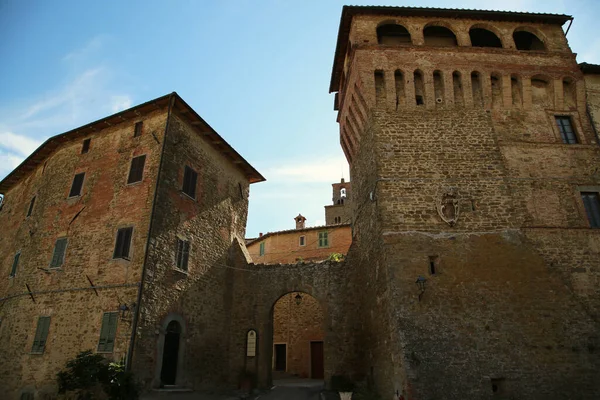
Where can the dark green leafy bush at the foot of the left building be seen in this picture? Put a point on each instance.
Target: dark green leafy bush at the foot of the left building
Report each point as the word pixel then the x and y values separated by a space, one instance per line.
pixel 88 375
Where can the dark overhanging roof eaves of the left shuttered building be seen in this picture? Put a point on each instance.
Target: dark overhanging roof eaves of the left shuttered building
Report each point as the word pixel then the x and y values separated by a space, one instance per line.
pixel 179 106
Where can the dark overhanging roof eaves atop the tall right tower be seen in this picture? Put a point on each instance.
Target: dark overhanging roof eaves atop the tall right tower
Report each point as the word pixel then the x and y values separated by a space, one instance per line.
pixel 350 11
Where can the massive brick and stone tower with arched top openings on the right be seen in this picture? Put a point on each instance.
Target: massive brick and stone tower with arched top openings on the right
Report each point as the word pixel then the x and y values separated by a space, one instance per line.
pixel 474 173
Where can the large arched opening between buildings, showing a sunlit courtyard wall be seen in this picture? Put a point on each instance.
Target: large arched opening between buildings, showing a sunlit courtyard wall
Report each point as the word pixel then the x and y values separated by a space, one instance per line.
pixel 298 337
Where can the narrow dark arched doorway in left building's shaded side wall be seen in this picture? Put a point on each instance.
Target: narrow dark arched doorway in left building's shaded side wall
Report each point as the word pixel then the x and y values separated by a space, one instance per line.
pixel 170 352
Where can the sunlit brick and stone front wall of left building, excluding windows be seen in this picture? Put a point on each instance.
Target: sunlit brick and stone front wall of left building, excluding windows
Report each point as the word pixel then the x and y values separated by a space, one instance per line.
pixel 90 223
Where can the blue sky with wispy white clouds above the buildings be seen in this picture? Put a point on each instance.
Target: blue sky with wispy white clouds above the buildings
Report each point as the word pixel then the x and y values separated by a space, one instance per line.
pixel 257 71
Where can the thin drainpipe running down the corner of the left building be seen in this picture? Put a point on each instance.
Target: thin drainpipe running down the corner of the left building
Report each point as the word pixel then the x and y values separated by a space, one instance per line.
pixel 136 316
